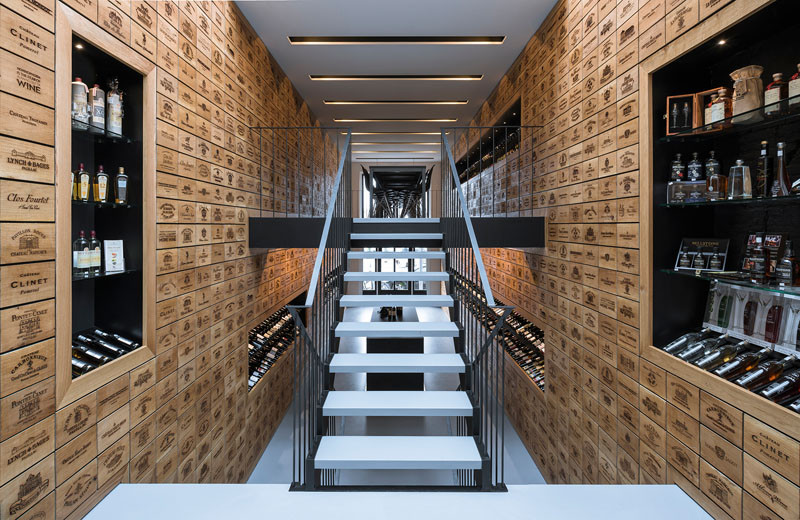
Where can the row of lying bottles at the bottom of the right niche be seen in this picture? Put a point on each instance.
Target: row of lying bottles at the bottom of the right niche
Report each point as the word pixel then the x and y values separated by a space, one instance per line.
pixel 757 370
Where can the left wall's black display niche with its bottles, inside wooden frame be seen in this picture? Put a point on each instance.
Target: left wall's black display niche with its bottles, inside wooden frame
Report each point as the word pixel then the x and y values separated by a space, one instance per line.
pixel 107 208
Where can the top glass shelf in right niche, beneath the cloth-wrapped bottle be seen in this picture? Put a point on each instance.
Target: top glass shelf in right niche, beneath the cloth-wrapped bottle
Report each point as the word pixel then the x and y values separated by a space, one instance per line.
pixel 734 125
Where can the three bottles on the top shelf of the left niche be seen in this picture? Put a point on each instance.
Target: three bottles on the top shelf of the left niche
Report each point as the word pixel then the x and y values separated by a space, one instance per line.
pixel 95 111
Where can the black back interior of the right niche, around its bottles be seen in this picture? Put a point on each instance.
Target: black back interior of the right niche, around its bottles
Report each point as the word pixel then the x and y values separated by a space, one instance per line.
pixel 762 39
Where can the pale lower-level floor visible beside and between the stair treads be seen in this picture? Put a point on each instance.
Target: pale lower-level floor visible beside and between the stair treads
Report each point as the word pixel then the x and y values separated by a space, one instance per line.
pixel 275 466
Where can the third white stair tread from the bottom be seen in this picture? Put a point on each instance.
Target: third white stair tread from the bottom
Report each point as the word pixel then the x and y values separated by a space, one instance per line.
pixel 396 363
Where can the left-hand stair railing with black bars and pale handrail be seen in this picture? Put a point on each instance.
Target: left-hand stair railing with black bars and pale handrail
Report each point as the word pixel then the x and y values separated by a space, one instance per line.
pixel 314 344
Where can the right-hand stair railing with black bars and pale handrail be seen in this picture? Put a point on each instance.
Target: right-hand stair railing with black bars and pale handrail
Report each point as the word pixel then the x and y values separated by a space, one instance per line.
pixel 474 305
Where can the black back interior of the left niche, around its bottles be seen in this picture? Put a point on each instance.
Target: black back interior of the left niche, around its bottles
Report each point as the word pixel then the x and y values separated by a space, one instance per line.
pixel 112 303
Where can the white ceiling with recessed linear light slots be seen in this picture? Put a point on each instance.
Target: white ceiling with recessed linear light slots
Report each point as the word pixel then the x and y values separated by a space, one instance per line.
pixel 276 20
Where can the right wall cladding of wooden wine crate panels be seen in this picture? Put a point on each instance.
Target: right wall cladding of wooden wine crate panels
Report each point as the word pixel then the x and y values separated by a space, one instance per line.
pixel 609 415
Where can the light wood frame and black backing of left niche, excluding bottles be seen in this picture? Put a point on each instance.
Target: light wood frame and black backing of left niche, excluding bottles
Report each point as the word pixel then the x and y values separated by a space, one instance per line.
pixel 80 302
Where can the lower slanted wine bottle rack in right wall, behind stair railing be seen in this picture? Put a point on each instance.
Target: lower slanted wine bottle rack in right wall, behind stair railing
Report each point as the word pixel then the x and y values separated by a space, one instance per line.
pixel 523 341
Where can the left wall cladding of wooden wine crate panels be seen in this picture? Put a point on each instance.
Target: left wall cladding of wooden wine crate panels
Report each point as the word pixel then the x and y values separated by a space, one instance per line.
pixel 185 415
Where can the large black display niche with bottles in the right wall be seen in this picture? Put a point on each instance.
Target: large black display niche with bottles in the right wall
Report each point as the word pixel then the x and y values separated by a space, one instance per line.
pixel 723 260
